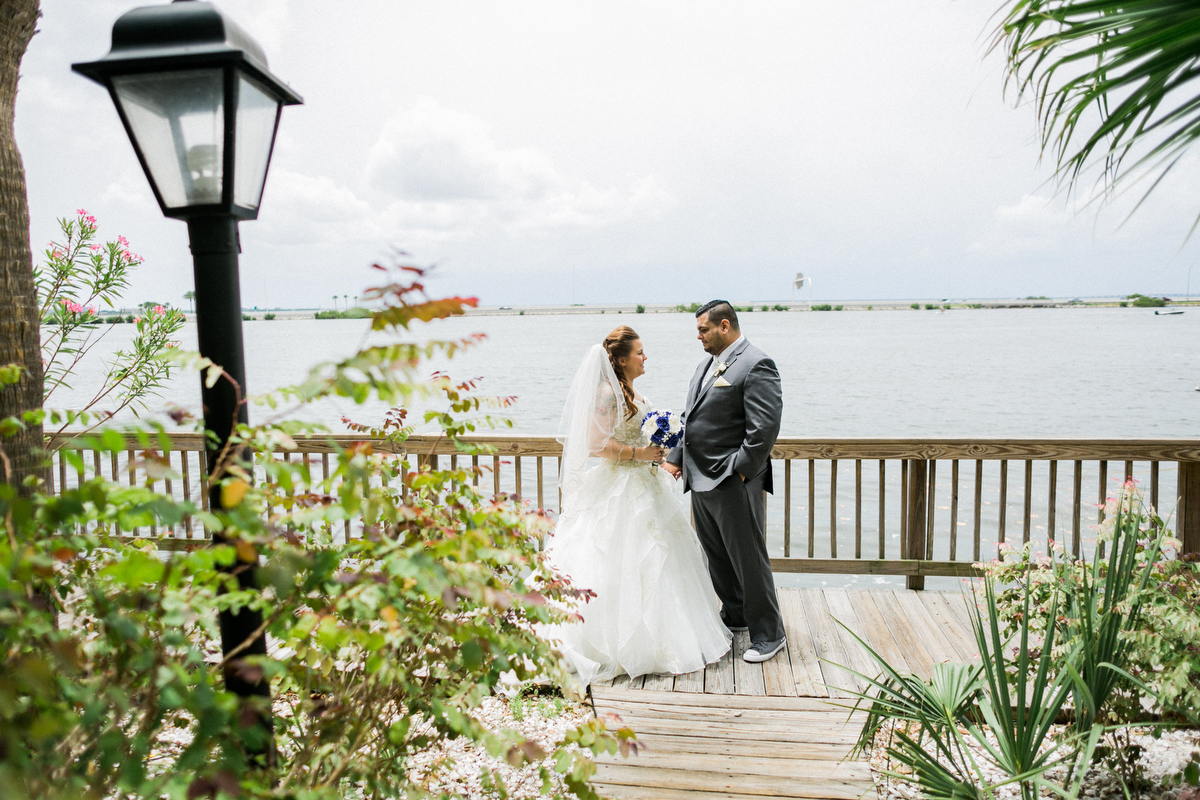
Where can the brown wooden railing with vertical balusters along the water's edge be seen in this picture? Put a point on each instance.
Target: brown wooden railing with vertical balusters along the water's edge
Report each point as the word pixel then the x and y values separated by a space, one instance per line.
pixel 911 508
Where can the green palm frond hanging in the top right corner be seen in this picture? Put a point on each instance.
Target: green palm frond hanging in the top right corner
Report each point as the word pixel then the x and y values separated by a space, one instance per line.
pixel 1133 63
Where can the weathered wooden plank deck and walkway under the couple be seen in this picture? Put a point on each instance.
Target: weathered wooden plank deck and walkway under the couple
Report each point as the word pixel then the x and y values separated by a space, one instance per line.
pixel 778 730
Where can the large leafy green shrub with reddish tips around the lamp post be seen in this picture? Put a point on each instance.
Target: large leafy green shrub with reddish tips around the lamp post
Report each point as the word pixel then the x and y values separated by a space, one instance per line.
pixel 387 642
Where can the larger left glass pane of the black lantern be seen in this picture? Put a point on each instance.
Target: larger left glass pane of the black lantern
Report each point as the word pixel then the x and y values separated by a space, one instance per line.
pixel 178 121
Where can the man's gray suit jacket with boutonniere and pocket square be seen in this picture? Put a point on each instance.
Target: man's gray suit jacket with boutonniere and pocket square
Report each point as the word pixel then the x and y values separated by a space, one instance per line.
pixel 730 429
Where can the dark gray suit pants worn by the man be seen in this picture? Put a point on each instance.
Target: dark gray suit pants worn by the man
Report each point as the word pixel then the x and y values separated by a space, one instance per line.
pixel 730 524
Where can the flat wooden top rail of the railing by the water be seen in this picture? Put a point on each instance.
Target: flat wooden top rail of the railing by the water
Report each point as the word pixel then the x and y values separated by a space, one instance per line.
pixel 795 448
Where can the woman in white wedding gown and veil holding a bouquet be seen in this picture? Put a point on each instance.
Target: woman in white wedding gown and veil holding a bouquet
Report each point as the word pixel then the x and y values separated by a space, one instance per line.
pixel 625 536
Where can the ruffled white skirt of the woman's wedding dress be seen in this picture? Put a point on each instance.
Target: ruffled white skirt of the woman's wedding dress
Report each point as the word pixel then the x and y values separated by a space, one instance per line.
pixel 627 538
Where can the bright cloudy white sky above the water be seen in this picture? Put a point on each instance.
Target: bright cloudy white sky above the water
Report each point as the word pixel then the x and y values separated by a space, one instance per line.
pixel 551 153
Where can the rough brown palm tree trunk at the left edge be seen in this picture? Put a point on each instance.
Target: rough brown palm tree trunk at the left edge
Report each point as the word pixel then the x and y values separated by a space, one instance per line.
pixel 20 329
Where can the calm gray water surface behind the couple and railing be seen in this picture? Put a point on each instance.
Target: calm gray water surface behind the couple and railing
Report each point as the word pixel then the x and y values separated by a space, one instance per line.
pixel 1103 372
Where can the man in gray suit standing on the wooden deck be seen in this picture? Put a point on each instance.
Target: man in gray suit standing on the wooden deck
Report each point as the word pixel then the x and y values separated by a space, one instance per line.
pixel 731 422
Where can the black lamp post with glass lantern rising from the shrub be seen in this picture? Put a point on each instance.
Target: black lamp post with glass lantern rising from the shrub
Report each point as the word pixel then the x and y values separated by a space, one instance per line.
pixel 202 110
